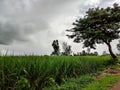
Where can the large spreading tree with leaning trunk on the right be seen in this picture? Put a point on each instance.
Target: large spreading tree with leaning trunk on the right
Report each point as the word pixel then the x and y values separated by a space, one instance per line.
pixel 99 25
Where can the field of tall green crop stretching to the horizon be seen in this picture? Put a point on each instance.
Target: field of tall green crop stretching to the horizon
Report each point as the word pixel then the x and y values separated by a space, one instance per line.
pixel 45 72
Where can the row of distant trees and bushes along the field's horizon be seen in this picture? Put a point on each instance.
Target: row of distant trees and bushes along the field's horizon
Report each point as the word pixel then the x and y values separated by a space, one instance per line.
pixel 67 51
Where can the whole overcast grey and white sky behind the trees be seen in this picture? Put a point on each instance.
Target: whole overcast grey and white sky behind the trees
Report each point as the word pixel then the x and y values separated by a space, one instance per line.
pixel 30 26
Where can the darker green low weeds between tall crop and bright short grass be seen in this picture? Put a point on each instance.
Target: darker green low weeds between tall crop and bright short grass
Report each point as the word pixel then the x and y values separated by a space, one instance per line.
pixel 73 83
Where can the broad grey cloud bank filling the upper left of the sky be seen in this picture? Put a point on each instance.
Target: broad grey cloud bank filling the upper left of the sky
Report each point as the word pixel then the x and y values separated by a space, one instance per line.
pixel 22 18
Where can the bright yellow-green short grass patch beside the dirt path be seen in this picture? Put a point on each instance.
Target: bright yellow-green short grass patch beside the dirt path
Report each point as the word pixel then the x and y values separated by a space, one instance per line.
pixel 105 83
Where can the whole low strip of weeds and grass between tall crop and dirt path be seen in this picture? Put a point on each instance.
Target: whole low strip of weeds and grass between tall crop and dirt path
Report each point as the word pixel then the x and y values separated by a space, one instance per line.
pixel 87 82
